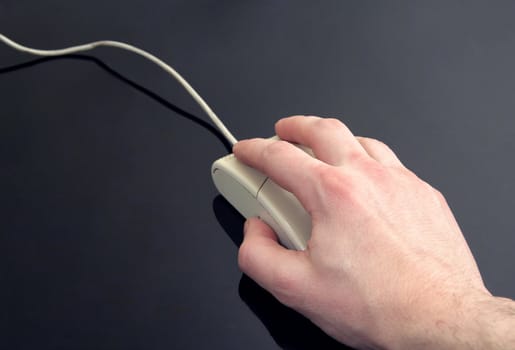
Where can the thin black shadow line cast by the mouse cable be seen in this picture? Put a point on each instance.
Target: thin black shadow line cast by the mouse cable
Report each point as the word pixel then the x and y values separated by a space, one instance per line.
pixel 129 82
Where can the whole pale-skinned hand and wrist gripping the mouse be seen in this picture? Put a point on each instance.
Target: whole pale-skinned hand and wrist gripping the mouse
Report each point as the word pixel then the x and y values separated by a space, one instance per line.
pixel 387 266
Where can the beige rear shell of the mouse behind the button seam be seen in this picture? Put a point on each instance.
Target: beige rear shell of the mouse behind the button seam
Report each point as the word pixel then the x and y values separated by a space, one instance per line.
pixel 287 211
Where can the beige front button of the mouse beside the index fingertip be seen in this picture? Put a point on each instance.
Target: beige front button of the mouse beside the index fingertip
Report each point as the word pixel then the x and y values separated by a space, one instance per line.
pixel 246 176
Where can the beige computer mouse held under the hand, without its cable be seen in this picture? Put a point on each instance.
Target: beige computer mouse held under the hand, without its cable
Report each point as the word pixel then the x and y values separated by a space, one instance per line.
pixel 254 194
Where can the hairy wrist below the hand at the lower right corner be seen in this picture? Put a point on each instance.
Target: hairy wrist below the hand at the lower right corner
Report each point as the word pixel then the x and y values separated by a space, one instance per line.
pixel 479 322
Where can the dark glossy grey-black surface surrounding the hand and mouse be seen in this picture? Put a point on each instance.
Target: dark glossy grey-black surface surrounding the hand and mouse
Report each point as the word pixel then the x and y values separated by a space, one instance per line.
pixel 109 229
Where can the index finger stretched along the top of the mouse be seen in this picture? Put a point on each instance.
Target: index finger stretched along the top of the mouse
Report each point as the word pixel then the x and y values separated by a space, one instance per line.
pixel 289 166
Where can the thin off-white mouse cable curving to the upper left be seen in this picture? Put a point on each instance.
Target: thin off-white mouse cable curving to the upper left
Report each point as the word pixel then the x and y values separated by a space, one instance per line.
pixel 148 56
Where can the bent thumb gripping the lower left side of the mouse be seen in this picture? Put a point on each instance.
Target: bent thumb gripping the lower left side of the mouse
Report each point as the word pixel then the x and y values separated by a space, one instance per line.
pixel 282 272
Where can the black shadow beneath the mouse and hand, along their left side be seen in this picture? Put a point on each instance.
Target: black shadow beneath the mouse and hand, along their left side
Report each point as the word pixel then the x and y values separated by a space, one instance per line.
pixel 288 328
